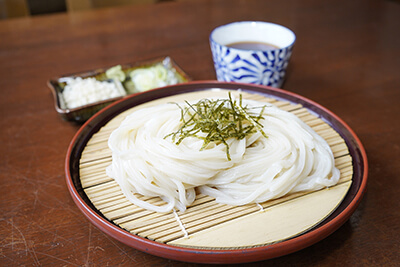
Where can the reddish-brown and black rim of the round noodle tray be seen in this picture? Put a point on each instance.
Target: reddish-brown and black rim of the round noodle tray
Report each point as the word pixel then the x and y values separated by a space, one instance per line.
pixel 242 255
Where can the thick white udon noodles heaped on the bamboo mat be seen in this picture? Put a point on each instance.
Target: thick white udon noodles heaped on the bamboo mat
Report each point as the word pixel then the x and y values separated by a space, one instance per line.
pixel 146 161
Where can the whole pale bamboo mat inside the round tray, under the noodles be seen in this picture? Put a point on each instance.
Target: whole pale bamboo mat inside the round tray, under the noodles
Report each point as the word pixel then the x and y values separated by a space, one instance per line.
pixel 205 218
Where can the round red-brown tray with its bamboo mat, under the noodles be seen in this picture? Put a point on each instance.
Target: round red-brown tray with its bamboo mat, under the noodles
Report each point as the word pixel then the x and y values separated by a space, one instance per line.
pixel 209 232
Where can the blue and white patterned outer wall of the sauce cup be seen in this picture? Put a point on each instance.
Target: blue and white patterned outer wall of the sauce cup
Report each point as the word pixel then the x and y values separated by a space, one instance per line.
pixel 257 67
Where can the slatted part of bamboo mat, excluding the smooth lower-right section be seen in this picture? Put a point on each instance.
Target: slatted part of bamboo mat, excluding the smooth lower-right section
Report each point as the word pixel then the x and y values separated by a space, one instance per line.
pixel 204 213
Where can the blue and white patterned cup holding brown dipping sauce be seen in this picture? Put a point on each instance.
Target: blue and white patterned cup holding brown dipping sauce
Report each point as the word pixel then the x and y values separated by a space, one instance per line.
pixel 252 52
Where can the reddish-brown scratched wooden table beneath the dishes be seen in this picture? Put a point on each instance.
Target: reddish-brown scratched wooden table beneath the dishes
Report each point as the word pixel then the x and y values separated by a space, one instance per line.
pixel 347 58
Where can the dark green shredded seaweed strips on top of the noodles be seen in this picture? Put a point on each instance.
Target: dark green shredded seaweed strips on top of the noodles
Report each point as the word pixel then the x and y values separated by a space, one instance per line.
pixel 219 119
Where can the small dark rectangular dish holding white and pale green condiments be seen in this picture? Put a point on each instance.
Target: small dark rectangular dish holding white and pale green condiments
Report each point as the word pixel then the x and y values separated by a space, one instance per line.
pixel 78 96
